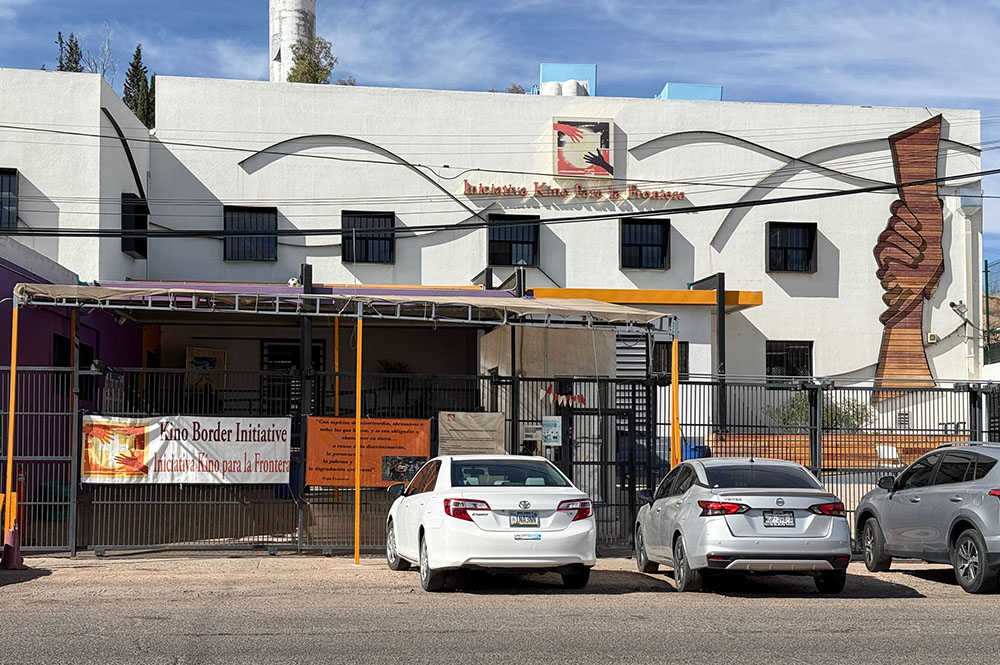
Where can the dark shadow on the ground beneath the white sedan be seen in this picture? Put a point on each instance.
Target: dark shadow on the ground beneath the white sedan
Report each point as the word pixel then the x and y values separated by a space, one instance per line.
pixel 602 582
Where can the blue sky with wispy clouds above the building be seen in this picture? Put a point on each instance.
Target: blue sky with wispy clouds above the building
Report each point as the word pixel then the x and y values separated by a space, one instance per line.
pixel 881 52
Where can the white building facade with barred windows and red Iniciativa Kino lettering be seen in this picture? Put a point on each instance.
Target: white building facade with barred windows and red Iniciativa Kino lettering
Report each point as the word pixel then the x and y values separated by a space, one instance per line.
pixel 440 166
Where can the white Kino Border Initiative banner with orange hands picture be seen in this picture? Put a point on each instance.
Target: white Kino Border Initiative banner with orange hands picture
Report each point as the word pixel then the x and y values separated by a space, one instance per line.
pixel 186 449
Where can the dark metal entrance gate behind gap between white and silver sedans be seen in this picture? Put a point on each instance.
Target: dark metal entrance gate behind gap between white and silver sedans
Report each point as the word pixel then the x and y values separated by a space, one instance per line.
pixel 597 458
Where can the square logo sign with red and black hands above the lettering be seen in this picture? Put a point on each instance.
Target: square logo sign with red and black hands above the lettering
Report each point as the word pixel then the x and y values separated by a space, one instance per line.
pixel 583 148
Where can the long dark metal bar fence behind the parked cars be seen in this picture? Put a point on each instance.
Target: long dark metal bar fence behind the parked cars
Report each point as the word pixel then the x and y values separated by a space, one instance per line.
pixel 616 441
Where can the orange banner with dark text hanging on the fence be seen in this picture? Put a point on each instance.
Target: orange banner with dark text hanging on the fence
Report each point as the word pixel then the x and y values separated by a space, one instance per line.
pixel 392 451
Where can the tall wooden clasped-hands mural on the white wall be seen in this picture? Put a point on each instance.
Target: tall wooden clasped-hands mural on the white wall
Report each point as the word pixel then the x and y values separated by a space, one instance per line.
pixel 910 257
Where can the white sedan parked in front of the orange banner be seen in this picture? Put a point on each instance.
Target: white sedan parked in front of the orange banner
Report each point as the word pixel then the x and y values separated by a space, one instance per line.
pixel 492 512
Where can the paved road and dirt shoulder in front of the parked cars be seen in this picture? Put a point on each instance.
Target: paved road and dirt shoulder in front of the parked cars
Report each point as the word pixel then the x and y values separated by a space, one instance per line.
pixel 296 609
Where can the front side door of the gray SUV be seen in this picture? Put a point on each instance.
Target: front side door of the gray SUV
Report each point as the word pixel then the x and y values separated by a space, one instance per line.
pixel 905 517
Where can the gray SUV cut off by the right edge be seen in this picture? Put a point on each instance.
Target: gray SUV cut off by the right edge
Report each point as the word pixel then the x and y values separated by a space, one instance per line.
pixel 943 508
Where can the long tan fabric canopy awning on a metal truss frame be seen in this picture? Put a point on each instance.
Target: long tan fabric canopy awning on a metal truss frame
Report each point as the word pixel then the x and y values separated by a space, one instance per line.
pixel 429 304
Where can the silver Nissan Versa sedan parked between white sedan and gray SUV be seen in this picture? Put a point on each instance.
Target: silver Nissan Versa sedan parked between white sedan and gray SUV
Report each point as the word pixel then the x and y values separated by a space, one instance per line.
pixel 741 514
